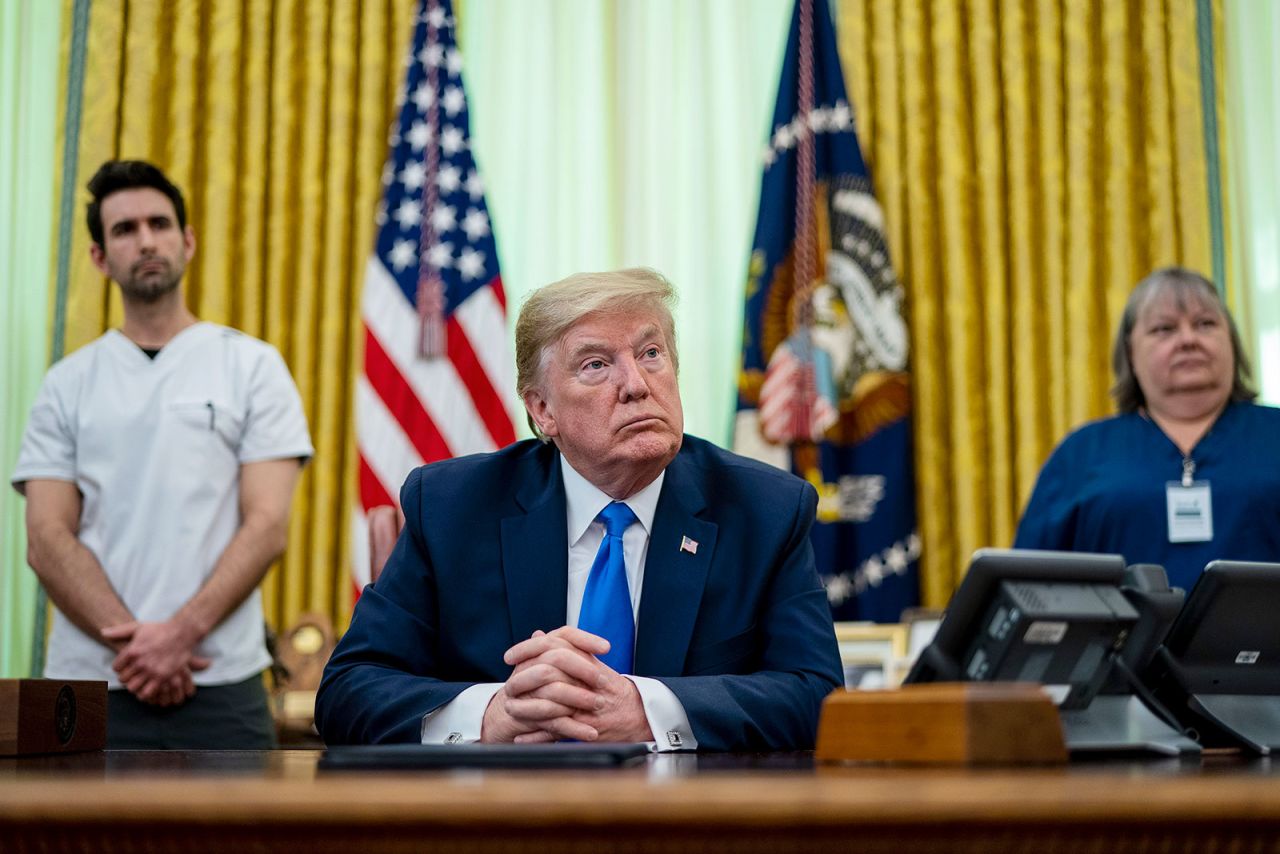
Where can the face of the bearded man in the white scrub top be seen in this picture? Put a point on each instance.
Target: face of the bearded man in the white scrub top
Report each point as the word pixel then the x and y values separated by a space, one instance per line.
pixel 144 250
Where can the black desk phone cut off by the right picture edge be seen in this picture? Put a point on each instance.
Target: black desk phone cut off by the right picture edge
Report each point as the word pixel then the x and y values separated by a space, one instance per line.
pixel 1219 669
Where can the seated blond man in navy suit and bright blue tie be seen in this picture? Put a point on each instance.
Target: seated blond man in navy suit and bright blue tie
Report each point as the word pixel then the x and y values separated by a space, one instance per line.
pixel 504 613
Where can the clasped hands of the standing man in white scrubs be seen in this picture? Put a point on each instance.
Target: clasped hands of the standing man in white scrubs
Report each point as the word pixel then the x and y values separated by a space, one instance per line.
pixel 156 661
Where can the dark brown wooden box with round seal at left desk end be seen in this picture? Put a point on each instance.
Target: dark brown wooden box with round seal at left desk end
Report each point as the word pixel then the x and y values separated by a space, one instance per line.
pixel 52 716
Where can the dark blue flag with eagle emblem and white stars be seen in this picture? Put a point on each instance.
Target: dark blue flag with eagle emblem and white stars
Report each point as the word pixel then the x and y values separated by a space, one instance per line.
pixel 824 389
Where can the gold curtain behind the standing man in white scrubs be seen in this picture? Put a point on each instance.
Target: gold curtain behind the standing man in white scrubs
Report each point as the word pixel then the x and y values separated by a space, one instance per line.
pixel 272 117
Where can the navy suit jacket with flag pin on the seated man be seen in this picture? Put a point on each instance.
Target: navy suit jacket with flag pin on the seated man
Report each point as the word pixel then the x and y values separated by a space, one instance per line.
pixel 740 631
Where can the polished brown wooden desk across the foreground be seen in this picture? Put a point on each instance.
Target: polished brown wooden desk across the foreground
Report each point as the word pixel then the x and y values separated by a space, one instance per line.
pixel 263 802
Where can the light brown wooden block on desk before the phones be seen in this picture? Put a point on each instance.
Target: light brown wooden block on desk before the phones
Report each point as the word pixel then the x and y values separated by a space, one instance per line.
pixel 943 724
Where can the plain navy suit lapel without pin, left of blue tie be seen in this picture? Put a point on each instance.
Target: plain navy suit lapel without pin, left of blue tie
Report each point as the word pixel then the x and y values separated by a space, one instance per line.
pixel 534 552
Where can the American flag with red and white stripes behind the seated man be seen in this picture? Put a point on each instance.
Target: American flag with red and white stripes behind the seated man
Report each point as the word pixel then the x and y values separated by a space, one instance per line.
pixel 438 373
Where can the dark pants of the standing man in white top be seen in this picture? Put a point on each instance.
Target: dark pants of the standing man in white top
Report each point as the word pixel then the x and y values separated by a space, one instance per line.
pixel 223 718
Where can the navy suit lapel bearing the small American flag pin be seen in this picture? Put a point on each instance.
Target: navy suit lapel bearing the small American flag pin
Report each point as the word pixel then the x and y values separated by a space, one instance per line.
pixel 674 578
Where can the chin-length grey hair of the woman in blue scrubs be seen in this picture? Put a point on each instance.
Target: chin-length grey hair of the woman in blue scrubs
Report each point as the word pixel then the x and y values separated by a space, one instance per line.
pixel 1183 285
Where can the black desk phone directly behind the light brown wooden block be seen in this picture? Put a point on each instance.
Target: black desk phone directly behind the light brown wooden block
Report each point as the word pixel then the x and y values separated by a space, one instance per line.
pixel 1060 619
